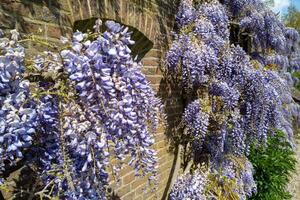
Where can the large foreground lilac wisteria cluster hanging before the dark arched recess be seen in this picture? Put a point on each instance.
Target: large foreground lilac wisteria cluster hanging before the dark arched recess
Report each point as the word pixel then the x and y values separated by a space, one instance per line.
pixel 94 104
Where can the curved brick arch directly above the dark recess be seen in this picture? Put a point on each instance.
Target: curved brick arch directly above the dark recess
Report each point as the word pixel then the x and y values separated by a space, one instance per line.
pixel 127 12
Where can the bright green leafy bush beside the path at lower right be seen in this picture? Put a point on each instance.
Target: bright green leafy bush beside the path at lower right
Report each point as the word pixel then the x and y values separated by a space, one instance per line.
pixel 273 166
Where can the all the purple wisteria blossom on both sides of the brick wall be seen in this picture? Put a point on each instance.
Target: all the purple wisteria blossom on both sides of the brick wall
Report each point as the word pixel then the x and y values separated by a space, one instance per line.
pixel 69 112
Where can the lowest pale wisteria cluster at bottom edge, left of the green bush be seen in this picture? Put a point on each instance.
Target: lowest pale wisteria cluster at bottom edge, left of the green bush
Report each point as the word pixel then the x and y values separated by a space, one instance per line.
pixel 216 182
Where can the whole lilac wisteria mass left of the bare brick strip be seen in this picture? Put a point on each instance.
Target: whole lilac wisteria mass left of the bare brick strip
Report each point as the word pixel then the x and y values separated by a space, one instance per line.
pixel 74 109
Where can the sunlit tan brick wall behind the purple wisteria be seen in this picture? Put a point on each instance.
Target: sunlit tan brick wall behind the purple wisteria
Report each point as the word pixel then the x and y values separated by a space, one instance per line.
pixel 49 19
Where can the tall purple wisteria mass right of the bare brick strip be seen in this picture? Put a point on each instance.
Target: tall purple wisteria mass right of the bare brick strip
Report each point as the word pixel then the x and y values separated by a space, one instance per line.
pixel 233 99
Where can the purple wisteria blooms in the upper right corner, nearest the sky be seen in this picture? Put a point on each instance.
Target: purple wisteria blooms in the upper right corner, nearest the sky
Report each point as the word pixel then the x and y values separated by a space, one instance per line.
pixel 270 37
